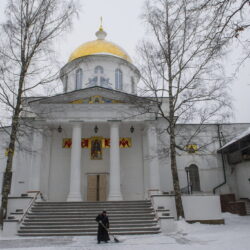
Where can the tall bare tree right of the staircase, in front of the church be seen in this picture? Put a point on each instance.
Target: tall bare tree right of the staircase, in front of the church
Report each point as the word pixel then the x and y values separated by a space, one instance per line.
pixel 180 63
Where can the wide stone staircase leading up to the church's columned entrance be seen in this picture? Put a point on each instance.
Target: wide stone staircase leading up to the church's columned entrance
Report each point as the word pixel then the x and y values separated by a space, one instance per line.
pixel 78 218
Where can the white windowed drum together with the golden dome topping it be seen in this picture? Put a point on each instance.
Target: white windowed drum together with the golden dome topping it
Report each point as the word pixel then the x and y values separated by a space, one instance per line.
pixel 100 63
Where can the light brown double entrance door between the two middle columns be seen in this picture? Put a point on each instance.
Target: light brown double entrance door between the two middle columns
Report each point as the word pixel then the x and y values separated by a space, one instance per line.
pixel 97 187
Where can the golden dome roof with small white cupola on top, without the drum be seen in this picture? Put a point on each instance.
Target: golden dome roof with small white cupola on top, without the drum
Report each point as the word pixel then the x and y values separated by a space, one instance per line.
pixel 99 46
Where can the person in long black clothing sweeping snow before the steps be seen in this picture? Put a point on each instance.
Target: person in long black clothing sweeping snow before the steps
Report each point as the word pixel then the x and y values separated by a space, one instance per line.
pixel 102 234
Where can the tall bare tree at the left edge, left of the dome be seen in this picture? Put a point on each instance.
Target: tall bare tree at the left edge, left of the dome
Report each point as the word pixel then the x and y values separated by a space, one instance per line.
pixel 26 46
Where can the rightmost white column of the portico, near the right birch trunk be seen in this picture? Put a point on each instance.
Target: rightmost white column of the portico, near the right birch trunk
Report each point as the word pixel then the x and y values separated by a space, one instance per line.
pixel 154 173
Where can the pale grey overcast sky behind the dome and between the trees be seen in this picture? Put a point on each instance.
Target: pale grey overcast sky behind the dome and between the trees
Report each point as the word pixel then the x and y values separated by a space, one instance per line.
pixel 121 20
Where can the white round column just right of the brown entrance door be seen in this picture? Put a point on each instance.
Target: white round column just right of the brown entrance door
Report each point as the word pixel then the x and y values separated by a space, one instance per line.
pixel 114 178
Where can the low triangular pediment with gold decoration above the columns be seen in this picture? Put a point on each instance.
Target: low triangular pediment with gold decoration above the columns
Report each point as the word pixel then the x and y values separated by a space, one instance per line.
pixel 93 95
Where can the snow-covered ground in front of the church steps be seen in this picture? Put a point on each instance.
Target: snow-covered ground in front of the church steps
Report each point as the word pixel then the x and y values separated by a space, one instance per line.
pixel 234 235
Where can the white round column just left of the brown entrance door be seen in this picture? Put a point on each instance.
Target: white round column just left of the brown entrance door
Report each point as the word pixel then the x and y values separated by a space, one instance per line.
pixel 75 164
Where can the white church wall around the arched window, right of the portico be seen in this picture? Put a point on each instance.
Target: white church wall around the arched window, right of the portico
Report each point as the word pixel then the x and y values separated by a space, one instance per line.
pixel 208 161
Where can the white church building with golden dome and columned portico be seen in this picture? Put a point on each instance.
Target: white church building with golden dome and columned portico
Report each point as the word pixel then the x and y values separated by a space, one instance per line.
pixel 96 142
